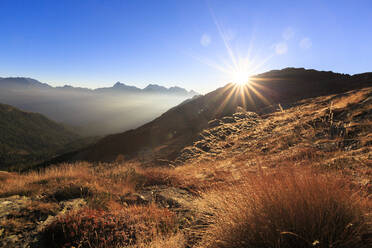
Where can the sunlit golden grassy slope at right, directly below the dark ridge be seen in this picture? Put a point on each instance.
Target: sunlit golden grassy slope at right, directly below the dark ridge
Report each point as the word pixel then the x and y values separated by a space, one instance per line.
pixel 337 127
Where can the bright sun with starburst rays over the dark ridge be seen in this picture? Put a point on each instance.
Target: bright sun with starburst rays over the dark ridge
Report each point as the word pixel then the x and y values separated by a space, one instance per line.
pixel 239 68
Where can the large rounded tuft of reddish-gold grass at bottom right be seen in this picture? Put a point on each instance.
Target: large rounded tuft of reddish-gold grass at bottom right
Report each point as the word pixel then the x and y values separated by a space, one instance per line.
pixel 288 208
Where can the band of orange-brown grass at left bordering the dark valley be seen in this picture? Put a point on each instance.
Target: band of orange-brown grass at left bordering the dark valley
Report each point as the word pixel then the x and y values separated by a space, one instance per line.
pixel 102 185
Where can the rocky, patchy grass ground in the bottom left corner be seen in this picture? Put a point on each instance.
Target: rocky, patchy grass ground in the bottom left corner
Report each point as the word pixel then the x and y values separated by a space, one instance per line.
pixel 24 218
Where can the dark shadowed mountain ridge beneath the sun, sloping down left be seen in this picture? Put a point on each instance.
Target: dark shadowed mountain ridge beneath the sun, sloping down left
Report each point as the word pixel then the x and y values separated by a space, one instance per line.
pixel 165 137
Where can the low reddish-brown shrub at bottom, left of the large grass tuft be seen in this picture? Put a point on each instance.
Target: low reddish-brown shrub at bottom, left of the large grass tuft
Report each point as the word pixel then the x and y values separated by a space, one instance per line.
pixel 97 228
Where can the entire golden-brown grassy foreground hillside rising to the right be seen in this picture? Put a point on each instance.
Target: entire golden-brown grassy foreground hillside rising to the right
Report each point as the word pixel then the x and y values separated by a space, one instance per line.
pixel 296 177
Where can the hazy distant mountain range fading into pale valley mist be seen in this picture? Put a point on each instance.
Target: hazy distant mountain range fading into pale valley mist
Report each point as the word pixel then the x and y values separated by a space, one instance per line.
pixel 92 112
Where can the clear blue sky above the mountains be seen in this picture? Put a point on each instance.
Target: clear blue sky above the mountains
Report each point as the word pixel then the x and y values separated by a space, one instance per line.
pixel 94 43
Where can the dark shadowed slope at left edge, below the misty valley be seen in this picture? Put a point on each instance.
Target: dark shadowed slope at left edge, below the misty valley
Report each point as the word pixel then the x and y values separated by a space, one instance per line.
pixel 27 138
